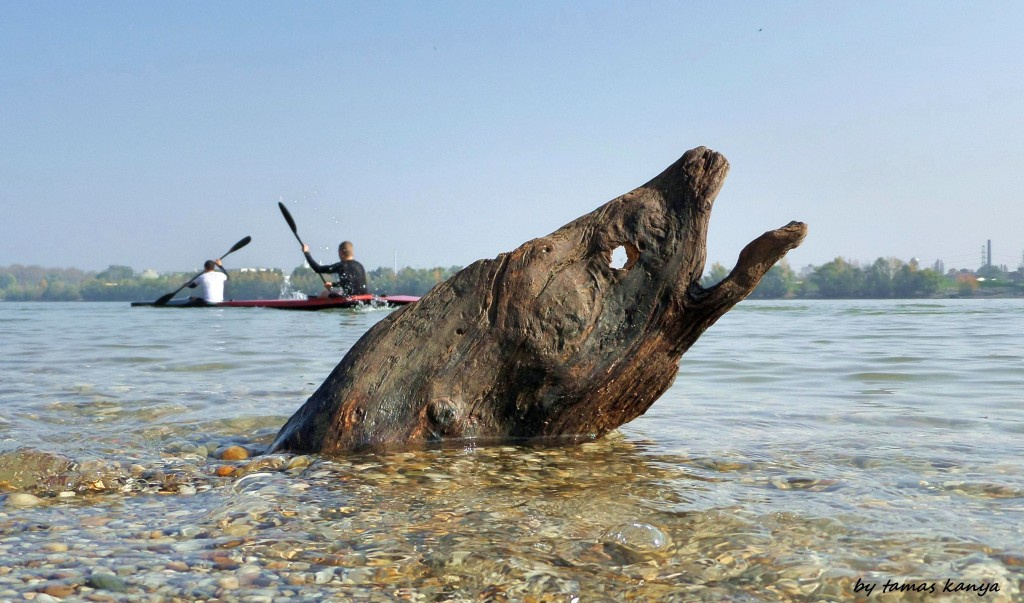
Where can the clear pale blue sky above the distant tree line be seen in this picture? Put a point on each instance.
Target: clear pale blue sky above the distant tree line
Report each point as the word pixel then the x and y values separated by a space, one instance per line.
pixel 157 135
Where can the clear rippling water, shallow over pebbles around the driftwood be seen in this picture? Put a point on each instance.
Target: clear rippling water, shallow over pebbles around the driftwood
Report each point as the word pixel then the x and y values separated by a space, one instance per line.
pixel 808 451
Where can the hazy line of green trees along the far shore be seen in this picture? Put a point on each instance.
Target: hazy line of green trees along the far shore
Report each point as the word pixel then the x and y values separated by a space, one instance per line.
pixel 840 279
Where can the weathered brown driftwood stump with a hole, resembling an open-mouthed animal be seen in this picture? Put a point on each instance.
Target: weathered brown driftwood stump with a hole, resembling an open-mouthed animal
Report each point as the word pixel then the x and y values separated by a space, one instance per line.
pixel 549 340
